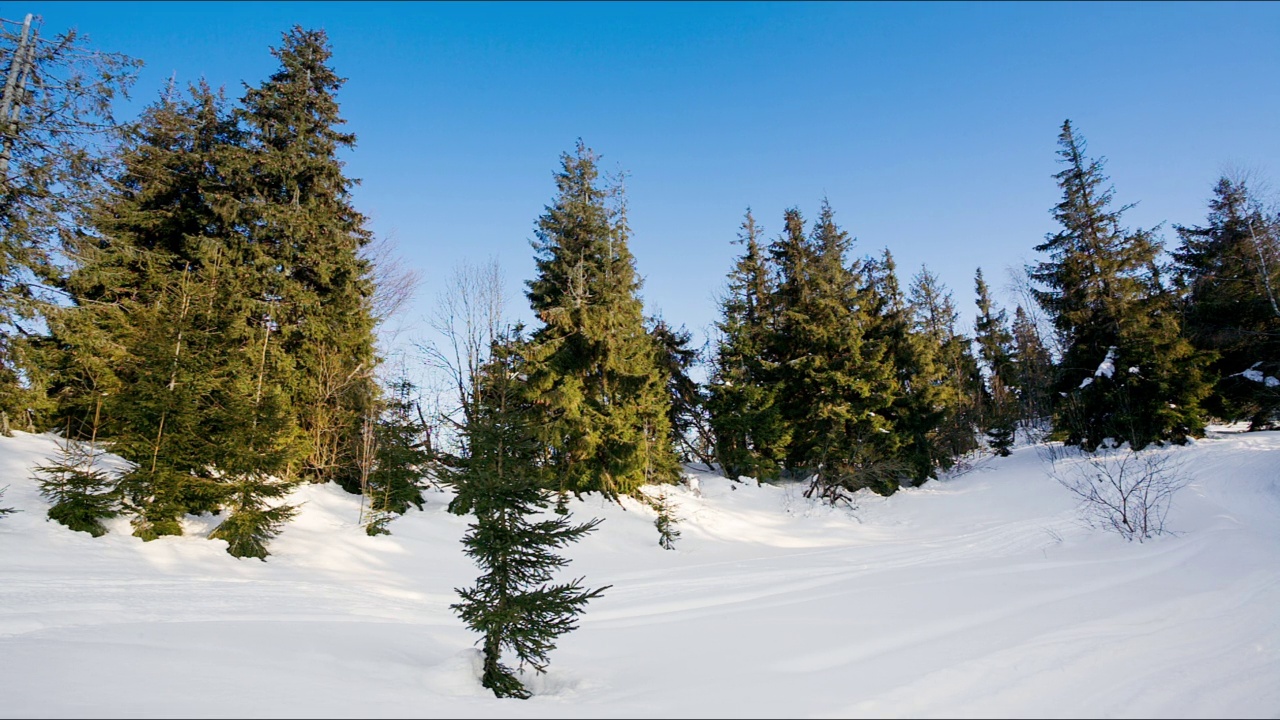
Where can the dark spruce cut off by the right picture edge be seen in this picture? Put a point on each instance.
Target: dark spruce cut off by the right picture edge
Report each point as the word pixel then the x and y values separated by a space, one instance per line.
pixel 1229 274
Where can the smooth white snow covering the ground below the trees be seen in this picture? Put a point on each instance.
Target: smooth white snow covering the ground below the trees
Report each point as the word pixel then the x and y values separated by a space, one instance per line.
pixel 979 595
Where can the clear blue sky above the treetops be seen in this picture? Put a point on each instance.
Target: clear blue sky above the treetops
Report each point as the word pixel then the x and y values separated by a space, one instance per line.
pixel 931 127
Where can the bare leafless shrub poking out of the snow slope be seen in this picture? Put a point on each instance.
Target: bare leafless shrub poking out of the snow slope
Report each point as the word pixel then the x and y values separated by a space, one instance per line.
pixel 1121 490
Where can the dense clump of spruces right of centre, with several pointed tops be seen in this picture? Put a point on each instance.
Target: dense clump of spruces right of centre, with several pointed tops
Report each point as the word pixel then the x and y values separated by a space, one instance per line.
pixel 824 371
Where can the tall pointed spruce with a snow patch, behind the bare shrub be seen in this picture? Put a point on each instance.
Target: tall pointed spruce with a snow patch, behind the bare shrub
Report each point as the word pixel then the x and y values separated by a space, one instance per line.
pixel 1127 373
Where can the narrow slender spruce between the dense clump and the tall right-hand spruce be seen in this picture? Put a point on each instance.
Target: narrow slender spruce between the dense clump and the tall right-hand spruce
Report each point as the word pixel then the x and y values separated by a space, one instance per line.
pixel 995 348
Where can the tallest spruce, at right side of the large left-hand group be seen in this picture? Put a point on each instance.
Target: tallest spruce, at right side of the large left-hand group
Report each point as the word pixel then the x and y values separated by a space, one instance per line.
pixel 312 279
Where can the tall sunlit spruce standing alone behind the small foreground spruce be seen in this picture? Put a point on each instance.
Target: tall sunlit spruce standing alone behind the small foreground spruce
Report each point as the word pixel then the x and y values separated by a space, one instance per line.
pixel 593 370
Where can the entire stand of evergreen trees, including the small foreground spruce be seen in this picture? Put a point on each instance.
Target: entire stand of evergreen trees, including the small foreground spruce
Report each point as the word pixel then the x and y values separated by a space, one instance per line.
pixel 195 291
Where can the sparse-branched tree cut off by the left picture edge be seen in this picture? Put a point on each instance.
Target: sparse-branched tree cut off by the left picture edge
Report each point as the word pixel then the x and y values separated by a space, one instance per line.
pixel 52 160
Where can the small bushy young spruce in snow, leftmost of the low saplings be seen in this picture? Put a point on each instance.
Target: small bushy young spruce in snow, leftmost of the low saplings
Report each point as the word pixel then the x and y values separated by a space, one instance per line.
pixel 83 494
